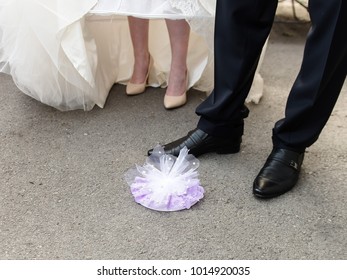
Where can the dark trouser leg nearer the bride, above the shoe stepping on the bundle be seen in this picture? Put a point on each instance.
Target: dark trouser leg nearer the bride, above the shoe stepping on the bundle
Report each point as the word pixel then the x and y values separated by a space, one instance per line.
pixel 240 37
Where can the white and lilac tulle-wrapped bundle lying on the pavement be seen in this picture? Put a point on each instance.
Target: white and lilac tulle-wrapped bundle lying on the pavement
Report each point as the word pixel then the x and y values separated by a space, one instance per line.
pixel 166 183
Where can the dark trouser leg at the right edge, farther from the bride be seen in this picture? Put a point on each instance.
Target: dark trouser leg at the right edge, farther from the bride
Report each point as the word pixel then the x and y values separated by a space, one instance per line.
pixel 321 77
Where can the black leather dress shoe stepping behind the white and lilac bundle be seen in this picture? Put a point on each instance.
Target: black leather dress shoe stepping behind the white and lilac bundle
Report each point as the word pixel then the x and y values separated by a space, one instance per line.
pixel 198 142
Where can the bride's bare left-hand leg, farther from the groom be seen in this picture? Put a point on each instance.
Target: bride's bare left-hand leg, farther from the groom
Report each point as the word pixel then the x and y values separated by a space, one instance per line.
pixel 139 37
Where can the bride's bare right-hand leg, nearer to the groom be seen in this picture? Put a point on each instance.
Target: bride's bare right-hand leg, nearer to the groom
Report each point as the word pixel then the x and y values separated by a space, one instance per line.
pixel 179 38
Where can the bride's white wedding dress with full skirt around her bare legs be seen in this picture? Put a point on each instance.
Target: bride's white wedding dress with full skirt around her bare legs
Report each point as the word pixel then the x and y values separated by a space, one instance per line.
pixel 69 53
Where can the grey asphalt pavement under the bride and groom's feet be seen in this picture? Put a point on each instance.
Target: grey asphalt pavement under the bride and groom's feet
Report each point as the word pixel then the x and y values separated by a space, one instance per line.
pixel 63 195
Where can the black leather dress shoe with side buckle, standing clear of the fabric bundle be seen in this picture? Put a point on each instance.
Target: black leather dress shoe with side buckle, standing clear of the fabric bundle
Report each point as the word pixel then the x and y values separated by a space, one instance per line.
pixel 279 174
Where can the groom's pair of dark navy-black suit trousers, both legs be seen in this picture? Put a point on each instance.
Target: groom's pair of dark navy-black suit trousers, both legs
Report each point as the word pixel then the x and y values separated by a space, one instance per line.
pixel 241 30
